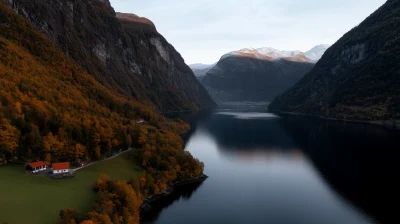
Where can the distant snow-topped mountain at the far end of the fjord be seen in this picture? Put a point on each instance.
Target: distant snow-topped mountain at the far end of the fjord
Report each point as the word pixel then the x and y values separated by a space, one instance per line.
pixel 255 74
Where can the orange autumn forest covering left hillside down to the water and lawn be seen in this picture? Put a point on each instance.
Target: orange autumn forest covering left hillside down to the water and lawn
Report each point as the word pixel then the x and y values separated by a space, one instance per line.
pixel 51 109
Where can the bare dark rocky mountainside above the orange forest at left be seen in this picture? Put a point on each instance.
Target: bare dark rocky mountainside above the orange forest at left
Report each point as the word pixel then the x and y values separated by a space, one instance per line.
pixel 126 53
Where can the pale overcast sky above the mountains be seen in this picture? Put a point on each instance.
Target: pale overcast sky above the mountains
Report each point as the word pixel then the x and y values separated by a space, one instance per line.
pixel 203 30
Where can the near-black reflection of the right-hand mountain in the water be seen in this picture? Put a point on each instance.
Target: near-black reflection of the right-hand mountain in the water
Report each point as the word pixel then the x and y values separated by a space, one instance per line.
pixel 360 161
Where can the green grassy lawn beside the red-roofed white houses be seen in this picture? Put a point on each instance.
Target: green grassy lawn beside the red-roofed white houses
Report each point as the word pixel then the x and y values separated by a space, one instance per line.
pixel 25 198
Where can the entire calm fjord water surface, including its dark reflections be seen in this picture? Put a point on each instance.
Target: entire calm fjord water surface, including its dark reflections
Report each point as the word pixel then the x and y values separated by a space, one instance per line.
pixel 268 169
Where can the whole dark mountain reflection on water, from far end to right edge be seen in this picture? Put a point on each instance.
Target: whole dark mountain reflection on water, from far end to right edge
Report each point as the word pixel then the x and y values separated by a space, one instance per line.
pixel 359 161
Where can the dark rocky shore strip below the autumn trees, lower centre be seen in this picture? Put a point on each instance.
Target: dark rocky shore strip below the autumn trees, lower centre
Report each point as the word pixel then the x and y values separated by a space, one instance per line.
pixel 149 204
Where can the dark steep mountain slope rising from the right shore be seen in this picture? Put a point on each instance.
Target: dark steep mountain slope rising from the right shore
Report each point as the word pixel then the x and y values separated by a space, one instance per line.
pixel 358 77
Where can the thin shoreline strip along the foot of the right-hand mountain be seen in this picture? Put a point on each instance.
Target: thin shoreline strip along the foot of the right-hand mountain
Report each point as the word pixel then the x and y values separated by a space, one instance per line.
pixel 382 123
